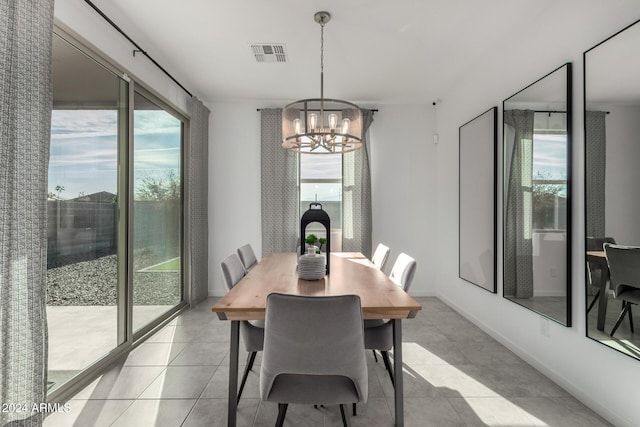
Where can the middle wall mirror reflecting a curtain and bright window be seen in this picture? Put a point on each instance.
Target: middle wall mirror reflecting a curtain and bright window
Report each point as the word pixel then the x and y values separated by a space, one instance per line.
pixel 536 196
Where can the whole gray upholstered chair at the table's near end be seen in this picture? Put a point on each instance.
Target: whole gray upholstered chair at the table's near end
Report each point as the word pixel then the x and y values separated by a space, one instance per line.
pixel 313 352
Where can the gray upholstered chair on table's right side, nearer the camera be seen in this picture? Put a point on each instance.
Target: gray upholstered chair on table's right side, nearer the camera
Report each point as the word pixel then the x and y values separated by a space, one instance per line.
pixel 378 334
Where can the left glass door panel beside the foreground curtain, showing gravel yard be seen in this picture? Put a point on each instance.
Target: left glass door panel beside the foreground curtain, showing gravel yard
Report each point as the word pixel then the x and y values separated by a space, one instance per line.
pixel 88 124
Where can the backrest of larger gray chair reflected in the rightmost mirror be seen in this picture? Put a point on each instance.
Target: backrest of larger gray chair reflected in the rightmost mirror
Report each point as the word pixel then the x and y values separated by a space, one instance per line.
pixel 624 267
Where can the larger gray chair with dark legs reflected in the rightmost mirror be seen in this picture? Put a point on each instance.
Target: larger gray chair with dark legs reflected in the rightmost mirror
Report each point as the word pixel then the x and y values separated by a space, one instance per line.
pixel 624 269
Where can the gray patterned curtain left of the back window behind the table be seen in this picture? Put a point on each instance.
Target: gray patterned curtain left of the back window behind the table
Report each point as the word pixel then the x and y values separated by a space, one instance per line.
pixel 280 222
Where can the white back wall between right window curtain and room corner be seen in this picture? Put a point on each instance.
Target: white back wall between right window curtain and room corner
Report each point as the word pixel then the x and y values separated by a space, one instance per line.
pixel 403 180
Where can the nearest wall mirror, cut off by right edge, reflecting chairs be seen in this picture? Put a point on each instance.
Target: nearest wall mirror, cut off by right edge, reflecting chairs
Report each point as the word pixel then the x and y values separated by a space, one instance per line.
pixel 612 175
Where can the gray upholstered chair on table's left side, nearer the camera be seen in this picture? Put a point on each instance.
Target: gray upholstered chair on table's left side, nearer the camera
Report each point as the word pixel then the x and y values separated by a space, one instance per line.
pixel 251 331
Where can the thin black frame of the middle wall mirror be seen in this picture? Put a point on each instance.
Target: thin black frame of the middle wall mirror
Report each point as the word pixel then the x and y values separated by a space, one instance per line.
pixel 569 112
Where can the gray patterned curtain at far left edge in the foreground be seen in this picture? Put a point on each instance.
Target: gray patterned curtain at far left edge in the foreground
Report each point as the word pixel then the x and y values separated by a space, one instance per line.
pixel 25 122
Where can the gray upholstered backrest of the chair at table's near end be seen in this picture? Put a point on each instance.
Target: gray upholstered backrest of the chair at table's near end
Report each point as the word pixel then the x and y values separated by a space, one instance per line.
pixel 316 336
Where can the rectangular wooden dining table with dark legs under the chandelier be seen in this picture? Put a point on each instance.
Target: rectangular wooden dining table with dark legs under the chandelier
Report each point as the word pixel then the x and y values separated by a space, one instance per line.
pixel 351 273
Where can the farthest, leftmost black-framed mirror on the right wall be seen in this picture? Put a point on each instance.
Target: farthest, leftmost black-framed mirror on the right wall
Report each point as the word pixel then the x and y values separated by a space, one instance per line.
pixel 477 228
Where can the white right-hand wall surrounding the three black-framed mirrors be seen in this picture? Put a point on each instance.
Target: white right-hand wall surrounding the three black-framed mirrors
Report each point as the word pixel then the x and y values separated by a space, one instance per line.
pixel 602 378
